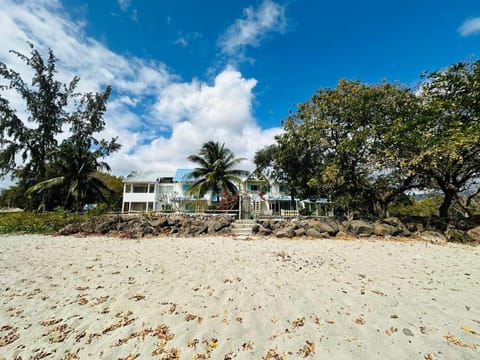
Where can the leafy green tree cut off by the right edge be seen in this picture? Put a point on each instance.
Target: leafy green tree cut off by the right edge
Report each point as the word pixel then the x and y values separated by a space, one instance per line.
pixel 450 155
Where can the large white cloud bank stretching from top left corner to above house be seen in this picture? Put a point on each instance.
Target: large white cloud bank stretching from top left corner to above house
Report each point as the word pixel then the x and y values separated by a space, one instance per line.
pixel 159 119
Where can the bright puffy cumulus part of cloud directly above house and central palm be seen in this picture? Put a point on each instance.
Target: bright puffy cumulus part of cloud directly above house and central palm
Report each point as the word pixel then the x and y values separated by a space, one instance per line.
pixel 197 112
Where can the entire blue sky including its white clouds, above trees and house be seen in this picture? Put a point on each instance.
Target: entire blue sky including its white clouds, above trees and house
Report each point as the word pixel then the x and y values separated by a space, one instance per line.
pixel 188 71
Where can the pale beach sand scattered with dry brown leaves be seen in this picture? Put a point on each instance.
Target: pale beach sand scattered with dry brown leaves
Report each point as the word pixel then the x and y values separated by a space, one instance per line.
pixel 221 298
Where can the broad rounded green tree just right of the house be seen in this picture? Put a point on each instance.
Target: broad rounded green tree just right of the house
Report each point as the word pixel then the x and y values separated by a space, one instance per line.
pixel 348 144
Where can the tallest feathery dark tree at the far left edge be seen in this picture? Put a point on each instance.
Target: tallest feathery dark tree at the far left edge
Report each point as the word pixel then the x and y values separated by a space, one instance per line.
pixel 31 138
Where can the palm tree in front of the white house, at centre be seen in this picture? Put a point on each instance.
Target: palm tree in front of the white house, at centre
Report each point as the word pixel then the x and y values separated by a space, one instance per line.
pixel 216 172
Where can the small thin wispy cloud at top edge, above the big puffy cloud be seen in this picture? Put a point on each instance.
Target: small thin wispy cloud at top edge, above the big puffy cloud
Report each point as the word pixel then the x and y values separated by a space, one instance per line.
pixel 253 27
